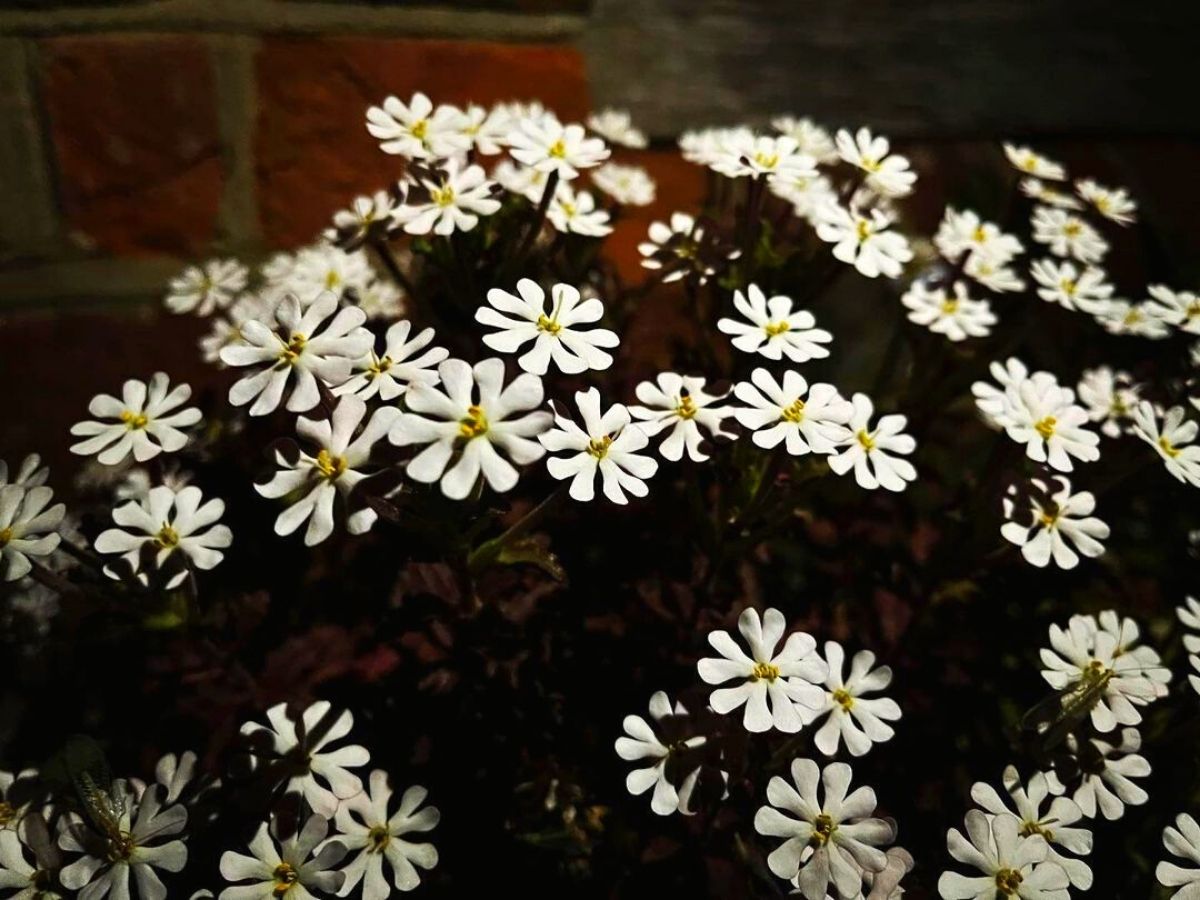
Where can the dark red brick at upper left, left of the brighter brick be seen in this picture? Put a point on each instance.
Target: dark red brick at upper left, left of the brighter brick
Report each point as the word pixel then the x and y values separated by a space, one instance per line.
pixel 135 133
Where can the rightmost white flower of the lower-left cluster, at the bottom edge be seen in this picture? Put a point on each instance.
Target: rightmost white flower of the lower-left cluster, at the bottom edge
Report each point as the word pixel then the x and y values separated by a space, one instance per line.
pixel 365 826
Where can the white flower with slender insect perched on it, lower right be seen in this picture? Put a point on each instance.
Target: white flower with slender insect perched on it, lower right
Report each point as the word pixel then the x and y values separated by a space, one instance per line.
pixel 1089 667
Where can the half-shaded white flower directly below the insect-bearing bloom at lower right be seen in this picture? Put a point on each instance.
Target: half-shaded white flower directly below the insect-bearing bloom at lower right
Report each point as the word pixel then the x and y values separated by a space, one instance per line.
pixel 1107 775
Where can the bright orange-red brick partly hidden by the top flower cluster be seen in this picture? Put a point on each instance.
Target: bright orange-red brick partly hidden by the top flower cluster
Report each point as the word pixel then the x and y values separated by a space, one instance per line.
pixel 314 149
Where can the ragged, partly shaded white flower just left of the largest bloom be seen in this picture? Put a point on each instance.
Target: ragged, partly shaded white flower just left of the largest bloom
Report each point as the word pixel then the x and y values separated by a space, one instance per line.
pixel 335 467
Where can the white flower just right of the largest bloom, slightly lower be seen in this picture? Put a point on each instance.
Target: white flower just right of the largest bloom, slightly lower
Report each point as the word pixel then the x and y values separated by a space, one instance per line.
pixel 608 443
